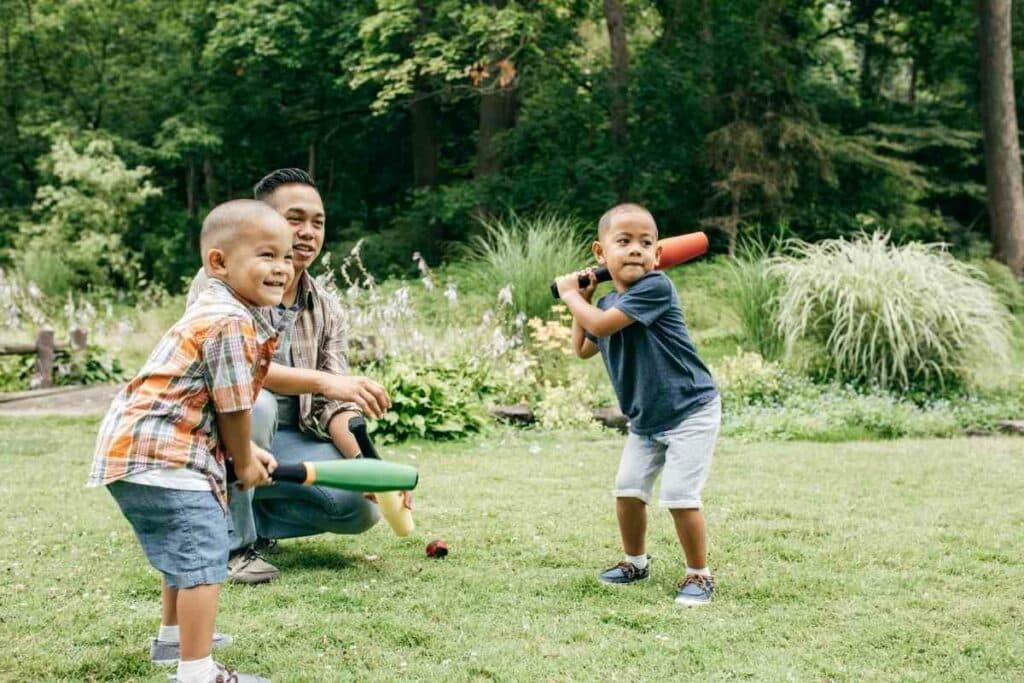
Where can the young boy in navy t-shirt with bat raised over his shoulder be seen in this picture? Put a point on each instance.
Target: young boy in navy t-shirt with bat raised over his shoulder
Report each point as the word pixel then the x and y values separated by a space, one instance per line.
pixel 664 390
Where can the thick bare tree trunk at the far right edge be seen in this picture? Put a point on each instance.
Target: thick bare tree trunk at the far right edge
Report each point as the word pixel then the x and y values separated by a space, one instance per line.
pixel 1003 159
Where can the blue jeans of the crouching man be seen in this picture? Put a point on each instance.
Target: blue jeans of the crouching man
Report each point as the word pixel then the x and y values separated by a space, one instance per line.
pixel 289 510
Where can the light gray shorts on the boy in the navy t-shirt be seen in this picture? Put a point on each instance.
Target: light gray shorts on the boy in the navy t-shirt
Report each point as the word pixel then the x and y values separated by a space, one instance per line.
pixel 684 452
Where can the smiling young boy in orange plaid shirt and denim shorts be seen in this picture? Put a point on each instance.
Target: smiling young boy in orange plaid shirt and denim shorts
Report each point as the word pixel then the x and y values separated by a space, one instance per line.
pixel 163 445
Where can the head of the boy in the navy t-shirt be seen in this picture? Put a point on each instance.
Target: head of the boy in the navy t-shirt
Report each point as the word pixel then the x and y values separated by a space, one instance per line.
pixel 628 245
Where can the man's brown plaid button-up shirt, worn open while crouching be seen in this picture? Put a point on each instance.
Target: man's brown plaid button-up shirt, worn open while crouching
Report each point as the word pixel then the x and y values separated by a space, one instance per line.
pixel 320 341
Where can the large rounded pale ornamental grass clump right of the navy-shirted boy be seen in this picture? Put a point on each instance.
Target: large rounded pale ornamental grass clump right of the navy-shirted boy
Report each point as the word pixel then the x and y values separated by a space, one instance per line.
pixel 898 318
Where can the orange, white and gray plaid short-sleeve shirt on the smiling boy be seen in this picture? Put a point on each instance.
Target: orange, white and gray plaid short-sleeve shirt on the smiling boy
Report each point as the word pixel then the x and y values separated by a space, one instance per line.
pixel 215 360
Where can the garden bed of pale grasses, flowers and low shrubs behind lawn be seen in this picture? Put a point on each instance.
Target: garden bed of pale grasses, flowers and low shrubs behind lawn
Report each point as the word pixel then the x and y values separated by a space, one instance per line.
pixel 448 351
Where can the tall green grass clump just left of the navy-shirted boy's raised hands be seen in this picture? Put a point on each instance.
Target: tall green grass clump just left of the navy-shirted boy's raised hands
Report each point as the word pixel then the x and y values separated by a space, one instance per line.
pixel 526 254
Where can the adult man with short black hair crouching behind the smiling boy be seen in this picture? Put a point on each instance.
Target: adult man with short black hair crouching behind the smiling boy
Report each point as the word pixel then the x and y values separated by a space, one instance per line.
pixel 304 413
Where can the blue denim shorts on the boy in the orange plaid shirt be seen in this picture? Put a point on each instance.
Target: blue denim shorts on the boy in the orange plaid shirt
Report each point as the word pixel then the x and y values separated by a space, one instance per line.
pixel 184 533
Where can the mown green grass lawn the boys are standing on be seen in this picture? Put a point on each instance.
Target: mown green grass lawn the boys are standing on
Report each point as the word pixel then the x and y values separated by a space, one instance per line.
pixel 898 561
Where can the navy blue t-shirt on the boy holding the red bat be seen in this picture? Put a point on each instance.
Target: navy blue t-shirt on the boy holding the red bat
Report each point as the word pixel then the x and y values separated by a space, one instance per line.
pixel 654 366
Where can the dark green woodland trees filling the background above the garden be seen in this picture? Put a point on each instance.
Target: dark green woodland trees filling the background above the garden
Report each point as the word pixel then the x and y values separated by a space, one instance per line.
pixel 418 117
